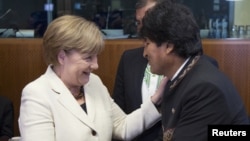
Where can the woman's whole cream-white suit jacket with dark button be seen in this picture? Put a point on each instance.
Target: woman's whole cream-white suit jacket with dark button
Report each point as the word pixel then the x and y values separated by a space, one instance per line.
pixel 49 112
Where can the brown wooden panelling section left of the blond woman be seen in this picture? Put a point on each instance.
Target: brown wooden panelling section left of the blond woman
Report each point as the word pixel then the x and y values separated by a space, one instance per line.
pixel 21 61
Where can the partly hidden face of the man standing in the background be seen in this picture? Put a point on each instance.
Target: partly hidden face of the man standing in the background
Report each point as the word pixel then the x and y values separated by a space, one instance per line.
pixel 140 13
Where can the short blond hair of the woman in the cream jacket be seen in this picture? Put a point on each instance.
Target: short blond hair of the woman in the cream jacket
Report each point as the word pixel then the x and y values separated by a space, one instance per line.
pixel 70 32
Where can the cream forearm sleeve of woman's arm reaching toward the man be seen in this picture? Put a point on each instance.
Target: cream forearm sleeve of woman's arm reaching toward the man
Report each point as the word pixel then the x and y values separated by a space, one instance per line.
pixel 127 127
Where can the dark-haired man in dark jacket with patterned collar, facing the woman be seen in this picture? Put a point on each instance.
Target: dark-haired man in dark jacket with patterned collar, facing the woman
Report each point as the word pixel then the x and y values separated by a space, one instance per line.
pixel 198 93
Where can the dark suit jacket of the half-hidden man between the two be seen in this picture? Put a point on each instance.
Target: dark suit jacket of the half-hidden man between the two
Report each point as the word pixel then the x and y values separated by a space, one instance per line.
pixel 127 88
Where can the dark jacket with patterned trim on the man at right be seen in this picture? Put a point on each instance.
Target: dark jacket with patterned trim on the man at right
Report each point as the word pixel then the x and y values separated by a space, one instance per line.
pixel 204 96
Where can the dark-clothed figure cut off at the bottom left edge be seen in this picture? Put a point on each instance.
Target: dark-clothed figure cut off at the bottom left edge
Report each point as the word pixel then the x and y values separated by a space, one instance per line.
pixel 6 119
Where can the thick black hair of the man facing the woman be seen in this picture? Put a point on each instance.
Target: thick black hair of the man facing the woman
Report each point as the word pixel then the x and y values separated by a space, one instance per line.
pixel 173 23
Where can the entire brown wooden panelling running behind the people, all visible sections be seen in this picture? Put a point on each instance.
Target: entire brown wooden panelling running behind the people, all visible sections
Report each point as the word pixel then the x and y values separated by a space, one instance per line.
pixel 21 61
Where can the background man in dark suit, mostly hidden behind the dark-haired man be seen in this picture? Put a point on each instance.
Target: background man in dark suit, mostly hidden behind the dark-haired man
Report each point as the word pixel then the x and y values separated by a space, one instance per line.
pixel 134 82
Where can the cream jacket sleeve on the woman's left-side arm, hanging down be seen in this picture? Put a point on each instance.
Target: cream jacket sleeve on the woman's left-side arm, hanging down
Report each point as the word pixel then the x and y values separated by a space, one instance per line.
pixel 35 120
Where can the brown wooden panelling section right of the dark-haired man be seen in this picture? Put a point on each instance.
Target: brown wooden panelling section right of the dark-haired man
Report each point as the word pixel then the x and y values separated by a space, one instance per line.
pixel 233 57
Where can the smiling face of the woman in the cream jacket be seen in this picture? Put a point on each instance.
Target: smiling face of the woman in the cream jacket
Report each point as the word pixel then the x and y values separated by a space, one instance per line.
pixel 76 67
